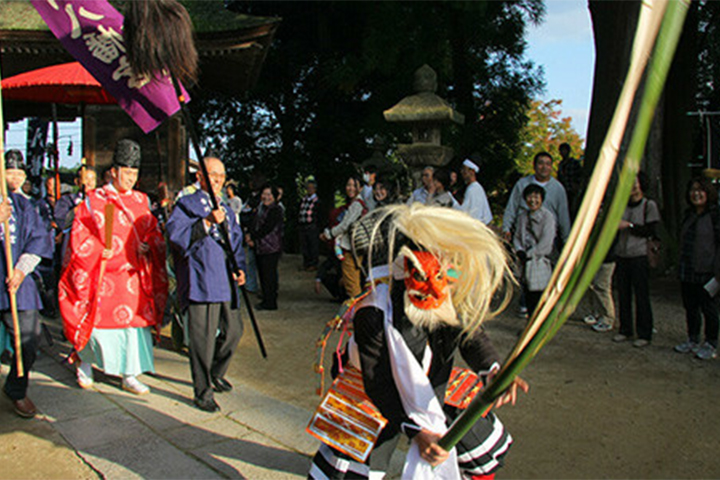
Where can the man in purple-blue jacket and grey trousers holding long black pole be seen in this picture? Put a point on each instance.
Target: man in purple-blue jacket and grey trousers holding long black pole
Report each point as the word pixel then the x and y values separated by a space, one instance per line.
pixel 206 286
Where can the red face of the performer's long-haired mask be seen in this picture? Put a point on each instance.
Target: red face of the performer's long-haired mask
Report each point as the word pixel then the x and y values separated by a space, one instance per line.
pixel 427 282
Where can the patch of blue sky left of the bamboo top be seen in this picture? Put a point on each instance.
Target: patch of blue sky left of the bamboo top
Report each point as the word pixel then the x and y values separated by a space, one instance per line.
pixel 563 46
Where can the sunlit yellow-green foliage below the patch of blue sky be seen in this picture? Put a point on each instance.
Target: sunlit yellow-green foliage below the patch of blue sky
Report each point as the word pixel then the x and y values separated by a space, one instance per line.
pixel 545 130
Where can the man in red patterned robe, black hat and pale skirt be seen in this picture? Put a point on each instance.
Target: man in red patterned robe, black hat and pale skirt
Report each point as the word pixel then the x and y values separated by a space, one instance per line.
pixel 110 299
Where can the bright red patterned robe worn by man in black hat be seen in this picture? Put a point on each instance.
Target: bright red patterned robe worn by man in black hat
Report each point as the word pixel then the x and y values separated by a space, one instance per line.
pixel 133 292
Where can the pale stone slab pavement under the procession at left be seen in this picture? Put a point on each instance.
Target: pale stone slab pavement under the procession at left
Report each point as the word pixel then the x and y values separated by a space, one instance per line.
pixel 106 432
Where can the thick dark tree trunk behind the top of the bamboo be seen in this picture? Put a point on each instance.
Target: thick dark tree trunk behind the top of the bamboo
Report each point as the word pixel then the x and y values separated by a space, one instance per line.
pixel 670 144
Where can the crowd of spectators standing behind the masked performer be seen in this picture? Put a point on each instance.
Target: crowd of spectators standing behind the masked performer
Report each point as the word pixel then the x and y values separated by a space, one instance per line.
pixel 536 224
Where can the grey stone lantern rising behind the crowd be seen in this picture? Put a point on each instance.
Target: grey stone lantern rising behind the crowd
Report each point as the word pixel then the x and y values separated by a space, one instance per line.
pixel 425 113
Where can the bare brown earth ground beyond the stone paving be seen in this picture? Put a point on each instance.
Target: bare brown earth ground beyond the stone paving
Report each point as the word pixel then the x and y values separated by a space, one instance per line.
pixel 596 409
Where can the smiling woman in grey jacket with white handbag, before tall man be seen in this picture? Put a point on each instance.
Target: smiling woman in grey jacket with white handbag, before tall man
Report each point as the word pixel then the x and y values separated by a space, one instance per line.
pixel 533 241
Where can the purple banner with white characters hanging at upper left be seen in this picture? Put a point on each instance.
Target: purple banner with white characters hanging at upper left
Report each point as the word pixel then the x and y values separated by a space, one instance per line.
pixel 91 30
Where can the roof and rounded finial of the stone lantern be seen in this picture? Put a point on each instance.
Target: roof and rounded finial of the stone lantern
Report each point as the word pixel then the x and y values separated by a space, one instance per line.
pixel 425 105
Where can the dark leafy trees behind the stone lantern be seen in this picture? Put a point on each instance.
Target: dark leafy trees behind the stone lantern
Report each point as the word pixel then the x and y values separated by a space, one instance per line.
pixel 335 66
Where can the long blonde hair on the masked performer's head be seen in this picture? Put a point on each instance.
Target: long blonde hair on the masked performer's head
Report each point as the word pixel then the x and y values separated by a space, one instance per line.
pixel 483 287
